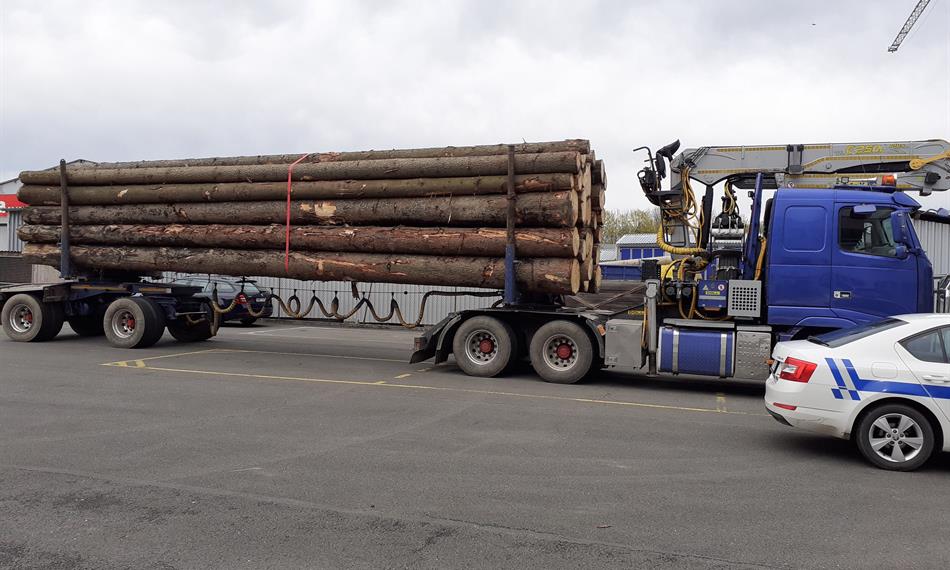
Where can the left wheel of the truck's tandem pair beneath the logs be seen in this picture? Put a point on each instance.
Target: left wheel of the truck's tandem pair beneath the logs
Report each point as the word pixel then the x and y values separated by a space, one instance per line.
pixel 483 346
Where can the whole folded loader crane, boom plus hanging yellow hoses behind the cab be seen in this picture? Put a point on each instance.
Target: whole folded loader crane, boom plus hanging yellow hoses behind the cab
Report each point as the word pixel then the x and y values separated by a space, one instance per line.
pixel 687 224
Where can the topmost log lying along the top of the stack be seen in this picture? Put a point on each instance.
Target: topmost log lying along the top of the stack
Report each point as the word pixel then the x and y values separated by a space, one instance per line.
pixel 576 145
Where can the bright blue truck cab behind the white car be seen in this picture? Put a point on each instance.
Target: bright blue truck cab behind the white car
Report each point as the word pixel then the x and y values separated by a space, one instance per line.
pixel 836 258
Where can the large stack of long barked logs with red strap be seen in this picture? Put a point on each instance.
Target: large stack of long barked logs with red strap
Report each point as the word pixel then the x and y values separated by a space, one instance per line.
pixel 434 216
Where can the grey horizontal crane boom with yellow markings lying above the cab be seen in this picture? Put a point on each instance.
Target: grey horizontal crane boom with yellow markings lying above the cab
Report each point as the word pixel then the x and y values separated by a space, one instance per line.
pixel 920 166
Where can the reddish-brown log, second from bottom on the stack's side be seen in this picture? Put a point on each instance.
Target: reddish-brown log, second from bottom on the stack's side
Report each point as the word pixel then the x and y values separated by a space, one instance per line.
pixel 477 242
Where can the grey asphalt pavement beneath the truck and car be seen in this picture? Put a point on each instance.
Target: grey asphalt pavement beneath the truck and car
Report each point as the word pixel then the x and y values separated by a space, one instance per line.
pixel 285 446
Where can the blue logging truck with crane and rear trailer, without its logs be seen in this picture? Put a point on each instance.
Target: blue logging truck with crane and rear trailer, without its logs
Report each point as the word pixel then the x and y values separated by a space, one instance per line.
pixel 827 243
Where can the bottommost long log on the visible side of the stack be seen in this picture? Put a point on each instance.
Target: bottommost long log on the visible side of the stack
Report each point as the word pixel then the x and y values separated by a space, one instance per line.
pixel 550 275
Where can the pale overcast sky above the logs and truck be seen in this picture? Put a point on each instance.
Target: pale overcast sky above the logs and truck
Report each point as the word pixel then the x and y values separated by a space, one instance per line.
pixel 126 80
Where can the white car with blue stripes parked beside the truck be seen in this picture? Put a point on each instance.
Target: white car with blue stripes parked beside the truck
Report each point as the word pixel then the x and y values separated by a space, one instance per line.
pixel 884 385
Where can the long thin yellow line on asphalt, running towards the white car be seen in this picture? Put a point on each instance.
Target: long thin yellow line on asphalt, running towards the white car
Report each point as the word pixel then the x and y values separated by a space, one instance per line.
pixel 383 384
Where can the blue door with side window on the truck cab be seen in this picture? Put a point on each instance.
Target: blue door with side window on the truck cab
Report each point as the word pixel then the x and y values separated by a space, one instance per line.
pixel 871 276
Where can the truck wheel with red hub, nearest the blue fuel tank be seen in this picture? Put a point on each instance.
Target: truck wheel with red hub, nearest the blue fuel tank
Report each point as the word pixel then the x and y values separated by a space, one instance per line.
pixel 562 352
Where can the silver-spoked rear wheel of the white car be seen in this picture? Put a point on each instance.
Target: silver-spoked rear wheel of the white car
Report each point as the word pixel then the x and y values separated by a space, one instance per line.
pixel 896 437
